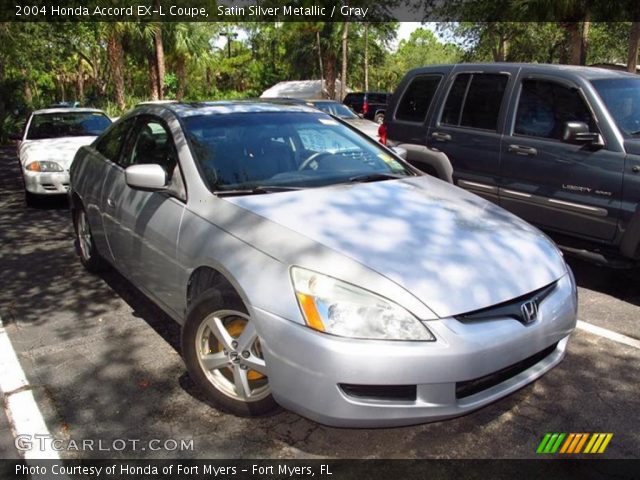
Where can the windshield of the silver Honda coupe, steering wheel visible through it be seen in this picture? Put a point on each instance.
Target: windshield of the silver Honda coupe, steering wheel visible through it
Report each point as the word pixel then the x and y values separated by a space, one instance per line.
pixel 284 149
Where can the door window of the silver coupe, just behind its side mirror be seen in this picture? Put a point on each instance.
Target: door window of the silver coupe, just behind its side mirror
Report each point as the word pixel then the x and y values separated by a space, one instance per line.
pixel 152 143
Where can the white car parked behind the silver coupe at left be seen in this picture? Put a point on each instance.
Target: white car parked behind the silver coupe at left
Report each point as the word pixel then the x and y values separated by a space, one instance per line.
pixel 50 141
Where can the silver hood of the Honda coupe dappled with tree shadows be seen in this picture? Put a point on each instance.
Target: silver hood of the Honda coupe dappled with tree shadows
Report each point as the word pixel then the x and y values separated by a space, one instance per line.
pixel 452 250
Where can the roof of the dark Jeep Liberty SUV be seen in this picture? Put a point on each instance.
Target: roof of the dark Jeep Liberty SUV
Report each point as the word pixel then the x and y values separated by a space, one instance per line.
pixel 590 73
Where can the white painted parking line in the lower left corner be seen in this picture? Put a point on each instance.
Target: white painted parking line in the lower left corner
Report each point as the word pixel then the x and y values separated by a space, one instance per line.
pixel 20 406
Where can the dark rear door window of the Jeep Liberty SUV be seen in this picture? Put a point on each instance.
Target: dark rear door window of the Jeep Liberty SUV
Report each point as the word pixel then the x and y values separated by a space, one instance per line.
pixel 474 100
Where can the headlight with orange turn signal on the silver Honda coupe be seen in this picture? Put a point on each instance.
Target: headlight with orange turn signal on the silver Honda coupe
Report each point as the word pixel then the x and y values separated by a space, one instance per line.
pixel 339 308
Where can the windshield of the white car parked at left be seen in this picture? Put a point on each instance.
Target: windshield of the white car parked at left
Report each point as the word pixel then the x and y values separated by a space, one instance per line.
pixel 67 124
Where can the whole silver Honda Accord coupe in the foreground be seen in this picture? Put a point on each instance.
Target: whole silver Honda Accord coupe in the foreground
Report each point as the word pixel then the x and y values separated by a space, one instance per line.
pixel 312 268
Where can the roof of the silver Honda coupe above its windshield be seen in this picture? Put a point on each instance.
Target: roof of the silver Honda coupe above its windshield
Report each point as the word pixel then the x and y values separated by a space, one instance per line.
pixel 225 107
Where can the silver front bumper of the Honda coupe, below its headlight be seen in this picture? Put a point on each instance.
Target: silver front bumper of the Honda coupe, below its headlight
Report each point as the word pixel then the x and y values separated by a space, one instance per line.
pixel 308 370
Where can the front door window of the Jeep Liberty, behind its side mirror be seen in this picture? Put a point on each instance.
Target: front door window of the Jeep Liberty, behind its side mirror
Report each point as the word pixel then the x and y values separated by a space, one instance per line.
pixel 544 107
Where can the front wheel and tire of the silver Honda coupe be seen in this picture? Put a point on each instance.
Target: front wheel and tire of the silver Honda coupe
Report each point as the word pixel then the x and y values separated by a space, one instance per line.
pixel 222 352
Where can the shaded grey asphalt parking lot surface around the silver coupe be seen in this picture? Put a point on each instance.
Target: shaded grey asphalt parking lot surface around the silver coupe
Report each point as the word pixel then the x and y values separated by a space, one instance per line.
pixel 103 363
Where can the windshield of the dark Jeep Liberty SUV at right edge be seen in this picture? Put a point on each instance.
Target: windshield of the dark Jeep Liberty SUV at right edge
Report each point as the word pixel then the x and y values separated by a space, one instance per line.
pixel 622 98
